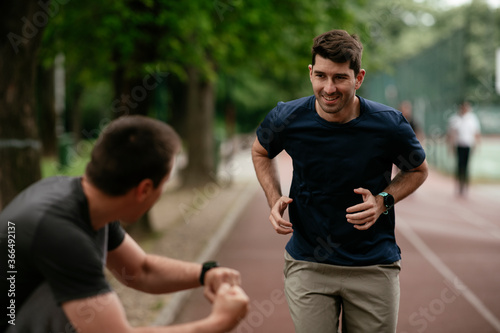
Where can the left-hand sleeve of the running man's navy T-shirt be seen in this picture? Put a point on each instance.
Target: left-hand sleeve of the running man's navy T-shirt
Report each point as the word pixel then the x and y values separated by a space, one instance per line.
pixel 271 132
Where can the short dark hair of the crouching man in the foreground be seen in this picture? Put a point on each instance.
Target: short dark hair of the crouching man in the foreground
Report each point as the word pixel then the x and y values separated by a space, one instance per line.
pixel 131 149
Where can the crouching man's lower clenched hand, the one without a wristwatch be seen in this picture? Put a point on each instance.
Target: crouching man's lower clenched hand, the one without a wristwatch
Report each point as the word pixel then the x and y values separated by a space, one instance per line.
pixel 230 306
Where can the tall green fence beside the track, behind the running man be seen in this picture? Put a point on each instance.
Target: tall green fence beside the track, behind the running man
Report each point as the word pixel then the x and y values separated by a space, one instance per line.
pixel 435 81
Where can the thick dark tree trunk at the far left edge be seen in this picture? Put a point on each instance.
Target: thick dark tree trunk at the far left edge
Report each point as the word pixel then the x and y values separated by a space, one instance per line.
pixel 21 27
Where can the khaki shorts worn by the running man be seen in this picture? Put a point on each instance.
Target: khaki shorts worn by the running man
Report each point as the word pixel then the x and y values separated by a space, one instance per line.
pixel 366 297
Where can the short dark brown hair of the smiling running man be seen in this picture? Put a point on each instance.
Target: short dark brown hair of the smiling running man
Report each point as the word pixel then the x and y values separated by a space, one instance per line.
pixel 339 46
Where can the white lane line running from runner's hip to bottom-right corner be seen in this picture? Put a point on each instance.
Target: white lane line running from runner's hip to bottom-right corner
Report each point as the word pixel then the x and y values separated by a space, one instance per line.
pixel 447 273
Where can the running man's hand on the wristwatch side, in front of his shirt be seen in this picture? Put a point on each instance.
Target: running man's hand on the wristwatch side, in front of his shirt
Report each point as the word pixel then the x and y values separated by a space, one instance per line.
pixel 365 214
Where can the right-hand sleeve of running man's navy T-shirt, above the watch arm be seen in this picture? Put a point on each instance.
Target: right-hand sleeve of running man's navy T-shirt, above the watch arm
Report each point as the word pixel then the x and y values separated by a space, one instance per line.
pixel 407 150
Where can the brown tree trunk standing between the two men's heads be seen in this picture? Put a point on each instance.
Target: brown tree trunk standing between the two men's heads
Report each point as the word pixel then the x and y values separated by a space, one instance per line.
pixel 200 132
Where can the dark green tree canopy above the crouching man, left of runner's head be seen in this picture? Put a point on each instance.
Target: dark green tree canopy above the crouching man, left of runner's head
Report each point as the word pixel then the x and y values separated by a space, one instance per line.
pixel 261 45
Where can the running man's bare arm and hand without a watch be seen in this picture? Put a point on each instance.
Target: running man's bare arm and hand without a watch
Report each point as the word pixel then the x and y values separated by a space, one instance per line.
pixel 268 176
